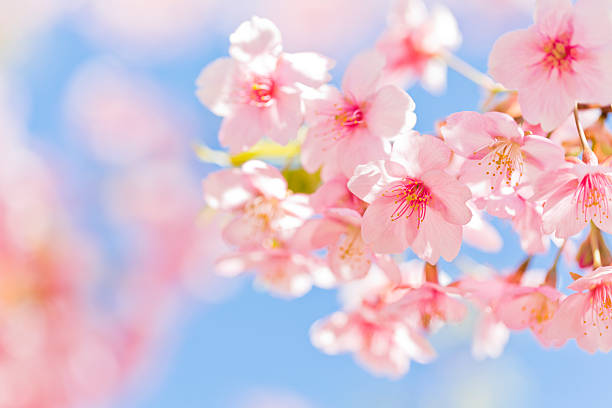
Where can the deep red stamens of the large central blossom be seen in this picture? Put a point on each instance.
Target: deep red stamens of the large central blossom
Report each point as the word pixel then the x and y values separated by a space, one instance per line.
pixel 411 197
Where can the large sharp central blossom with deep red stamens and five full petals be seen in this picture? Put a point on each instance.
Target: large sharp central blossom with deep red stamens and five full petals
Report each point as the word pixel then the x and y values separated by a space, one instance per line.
pixel 413 201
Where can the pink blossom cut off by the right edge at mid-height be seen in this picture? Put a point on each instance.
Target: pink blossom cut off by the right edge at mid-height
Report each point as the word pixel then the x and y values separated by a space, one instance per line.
pixel 575 194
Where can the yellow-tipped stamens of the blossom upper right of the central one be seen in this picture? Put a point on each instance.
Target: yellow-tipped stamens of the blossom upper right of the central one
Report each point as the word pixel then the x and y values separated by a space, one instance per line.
pixel 504 160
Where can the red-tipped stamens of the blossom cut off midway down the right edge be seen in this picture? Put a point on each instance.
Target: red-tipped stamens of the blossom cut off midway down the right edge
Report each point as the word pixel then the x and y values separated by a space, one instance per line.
pixel 592 196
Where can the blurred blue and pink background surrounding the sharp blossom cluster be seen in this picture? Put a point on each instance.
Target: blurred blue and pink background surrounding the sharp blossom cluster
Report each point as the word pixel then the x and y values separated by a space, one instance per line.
pixel 108 297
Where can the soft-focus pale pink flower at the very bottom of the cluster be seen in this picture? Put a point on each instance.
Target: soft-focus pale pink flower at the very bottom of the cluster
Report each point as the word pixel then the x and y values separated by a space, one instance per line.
pixel 383 344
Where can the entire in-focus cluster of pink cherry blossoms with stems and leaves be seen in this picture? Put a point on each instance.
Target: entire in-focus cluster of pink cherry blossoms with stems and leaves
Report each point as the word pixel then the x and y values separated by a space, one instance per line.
pixel 360 190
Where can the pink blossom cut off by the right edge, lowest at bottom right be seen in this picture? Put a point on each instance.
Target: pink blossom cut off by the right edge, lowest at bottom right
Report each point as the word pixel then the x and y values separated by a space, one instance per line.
pixel 586 315
